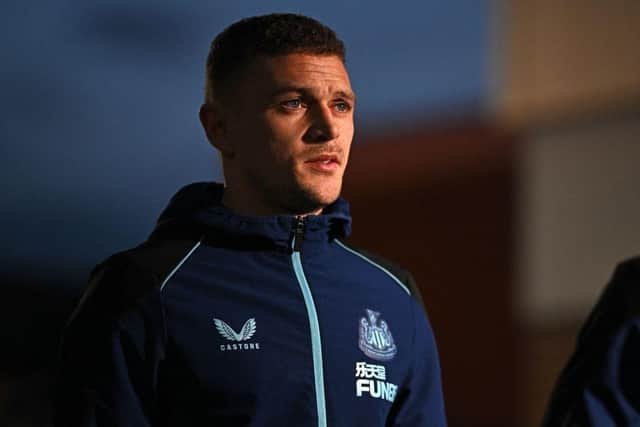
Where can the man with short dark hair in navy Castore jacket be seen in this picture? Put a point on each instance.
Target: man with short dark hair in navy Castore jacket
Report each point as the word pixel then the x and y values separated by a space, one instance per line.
pixel 245 307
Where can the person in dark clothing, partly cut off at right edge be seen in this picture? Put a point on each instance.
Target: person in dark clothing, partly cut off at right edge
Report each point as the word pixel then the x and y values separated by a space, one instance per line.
pixel 600 386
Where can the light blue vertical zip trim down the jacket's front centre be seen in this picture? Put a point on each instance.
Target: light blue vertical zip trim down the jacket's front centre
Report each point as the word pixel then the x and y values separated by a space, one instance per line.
pixel 316 342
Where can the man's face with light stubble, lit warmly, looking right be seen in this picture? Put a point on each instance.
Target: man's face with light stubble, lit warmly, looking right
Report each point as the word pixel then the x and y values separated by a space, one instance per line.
pixel 290 125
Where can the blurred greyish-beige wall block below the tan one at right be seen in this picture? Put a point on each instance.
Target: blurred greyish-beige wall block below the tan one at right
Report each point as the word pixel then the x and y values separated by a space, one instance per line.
pixel 579 214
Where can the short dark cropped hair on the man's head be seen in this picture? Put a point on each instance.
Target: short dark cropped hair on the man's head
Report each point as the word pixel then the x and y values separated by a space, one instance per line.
pixel 271 35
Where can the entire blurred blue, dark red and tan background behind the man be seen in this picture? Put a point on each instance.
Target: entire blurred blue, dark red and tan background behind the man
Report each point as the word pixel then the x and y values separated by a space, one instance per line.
pixel 496 157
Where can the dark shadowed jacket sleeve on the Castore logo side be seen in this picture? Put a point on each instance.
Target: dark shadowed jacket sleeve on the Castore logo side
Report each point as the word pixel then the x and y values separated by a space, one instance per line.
pixel 110 352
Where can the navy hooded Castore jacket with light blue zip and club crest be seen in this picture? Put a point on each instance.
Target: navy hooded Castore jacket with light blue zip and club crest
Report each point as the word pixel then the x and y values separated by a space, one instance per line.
pixel 225 320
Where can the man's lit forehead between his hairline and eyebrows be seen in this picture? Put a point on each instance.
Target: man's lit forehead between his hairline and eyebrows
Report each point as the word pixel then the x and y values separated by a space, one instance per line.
pixel 317 73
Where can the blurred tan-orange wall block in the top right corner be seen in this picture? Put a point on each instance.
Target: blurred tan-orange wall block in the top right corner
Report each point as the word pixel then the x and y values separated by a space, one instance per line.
pixel 569 57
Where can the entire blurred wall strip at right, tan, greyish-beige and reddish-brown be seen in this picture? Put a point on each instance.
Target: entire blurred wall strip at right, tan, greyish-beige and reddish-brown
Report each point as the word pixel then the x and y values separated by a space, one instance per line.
pixel 570 88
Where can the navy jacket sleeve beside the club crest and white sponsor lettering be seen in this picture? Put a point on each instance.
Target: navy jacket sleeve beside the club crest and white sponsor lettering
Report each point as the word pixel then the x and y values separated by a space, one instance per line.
pixel 420 402
